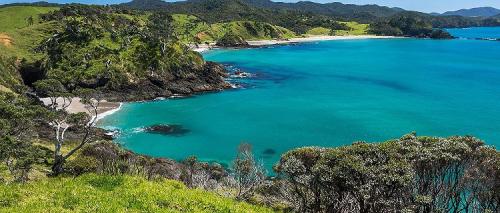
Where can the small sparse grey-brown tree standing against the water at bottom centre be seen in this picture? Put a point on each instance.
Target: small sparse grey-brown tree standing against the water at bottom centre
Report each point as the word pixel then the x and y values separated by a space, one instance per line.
pixel 248 173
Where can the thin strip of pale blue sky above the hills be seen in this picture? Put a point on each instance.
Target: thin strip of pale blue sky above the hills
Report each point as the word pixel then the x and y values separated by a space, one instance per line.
pixel 418 5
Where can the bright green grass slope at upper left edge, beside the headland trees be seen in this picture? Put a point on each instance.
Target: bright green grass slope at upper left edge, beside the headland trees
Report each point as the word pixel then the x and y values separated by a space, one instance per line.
pixel 23 38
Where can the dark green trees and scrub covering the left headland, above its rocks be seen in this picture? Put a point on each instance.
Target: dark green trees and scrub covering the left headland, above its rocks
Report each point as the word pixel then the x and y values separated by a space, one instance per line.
pixel 105 47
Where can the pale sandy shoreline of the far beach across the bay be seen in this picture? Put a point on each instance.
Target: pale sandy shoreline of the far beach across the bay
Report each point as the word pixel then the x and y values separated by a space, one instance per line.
pixel 260 43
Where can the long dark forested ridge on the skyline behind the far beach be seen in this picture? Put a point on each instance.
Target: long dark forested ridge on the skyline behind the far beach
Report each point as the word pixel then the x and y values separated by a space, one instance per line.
pixel 265 8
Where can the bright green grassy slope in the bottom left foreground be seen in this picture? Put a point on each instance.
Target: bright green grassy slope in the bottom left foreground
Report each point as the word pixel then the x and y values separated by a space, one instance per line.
pixel 101 193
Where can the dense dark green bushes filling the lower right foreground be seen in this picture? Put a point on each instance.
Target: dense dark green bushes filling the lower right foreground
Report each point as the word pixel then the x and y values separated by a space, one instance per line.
pixel 410 174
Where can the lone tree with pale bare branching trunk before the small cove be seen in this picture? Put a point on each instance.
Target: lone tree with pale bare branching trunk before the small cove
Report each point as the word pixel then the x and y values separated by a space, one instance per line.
pixel 61 120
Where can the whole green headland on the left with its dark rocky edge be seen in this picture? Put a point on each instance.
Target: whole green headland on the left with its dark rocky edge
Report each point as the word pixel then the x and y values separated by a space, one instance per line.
pixel 135 53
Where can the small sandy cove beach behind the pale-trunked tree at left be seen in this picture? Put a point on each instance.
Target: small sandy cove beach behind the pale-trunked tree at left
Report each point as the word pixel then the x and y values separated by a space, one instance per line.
pixel 105 108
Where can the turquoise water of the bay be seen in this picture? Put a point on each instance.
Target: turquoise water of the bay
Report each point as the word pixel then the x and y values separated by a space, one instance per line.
pixel 329 93
